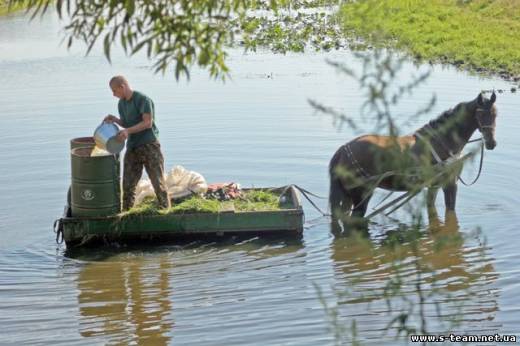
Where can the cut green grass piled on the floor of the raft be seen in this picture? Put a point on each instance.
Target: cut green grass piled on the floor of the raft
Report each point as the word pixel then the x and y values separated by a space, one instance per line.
pixel 254 200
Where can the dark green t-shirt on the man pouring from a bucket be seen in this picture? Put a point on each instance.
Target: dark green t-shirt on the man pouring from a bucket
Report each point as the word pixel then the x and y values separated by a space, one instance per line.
pixel 131 113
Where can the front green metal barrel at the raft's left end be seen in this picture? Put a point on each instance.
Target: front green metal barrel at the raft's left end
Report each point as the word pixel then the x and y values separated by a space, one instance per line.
pixel 95 189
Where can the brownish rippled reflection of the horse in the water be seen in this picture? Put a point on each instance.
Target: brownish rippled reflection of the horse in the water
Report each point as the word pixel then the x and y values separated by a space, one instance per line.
pixel 455 274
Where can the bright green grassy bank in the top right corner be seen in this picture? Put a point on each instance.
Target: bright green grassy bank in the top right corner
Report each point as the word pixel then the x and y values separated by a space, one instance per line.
pixel 479 35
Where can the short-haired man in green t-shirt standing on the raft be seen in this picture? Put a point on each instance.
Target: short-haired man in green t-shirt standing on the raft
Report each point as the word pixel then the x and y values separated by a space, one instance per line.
pixel 137 117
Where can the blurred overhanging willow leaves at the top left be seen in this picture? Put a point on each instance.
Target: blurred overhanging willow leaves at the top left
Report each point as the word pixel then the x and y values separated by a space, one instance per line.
pixel 180 31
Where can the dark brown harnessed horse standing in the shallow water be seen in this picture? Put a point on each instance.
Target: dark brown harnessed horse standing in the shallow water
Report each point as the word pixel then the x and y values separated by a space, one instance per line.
pixel 400 163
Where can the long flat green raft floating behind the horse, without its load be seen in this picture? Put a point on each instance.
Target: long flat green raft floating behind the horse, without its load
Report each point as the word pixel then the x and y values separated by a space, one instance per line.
pixel 87 230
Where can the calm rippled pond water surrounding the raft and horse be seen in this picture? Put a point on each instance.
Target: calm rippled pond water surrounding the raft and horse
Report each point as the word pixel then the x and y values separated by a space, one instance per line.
pixel 259 130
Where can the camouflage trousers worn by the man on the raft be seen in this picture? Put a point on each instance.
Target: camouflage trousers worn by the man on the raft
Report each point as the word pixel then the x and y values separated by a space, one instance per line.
pixel 150 157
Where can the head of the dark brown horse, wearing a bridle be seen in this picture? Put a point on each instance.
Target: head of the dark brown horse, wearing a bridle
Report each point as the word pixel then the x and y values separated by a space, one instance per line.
pixel 486 114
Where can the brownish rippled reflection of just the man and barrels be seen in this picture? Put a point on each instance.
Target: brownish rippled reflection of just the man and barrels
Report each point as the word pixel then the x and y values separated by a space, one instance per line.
pixel 126 299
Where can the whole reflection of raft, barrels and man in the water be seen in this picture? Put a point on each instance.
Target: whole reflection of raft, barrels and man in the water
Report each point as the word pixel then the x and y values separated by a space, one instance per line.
pixel 128 297
